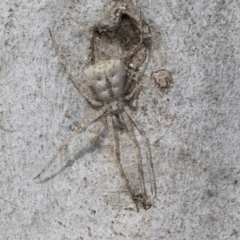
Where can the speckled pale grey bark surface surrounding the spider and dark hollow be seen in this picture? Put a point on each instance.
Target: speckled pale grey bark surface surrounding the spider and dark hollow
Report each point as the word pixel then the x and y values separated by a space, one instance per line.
pixel 193 127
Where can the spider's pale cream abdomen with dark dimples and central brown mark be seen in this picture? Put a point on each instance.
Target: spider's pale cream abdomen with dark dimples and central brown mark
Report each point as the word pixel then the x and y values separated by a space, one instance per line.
pixel 106 79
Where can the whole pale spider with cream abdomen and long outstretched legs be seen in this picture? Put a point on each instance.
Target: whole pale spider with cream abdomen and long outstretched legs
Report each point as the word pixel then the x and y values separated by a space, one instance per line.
pixel 114 86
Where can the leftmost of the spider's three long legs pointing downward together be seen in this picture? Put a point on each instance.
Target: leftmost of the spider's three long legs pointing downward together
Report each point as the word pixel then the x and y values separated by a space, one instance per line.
pixel 114 150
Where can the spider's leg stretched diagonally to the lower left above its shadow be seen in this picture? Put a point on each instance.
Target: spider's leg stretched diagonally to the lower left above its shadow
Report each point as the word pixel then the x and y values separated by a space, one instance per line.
pixel 78 130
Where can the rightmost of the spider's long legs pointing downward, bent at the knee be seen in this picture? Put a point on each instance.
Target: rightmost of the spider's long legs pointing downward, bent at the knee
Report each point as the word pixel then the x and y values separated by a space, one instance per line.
pixel 148 155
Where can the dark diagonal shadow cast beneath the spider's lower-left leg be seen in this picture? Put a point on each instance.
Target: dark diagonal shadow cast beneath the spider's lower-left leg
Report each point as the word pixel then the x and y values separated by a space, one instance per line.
pixel 96 144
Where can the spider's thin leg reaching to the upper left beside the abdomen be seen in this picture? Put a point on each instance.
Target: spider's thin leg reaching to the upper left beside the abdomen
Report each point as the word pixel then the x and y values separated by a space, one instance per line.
pixel 77 84
